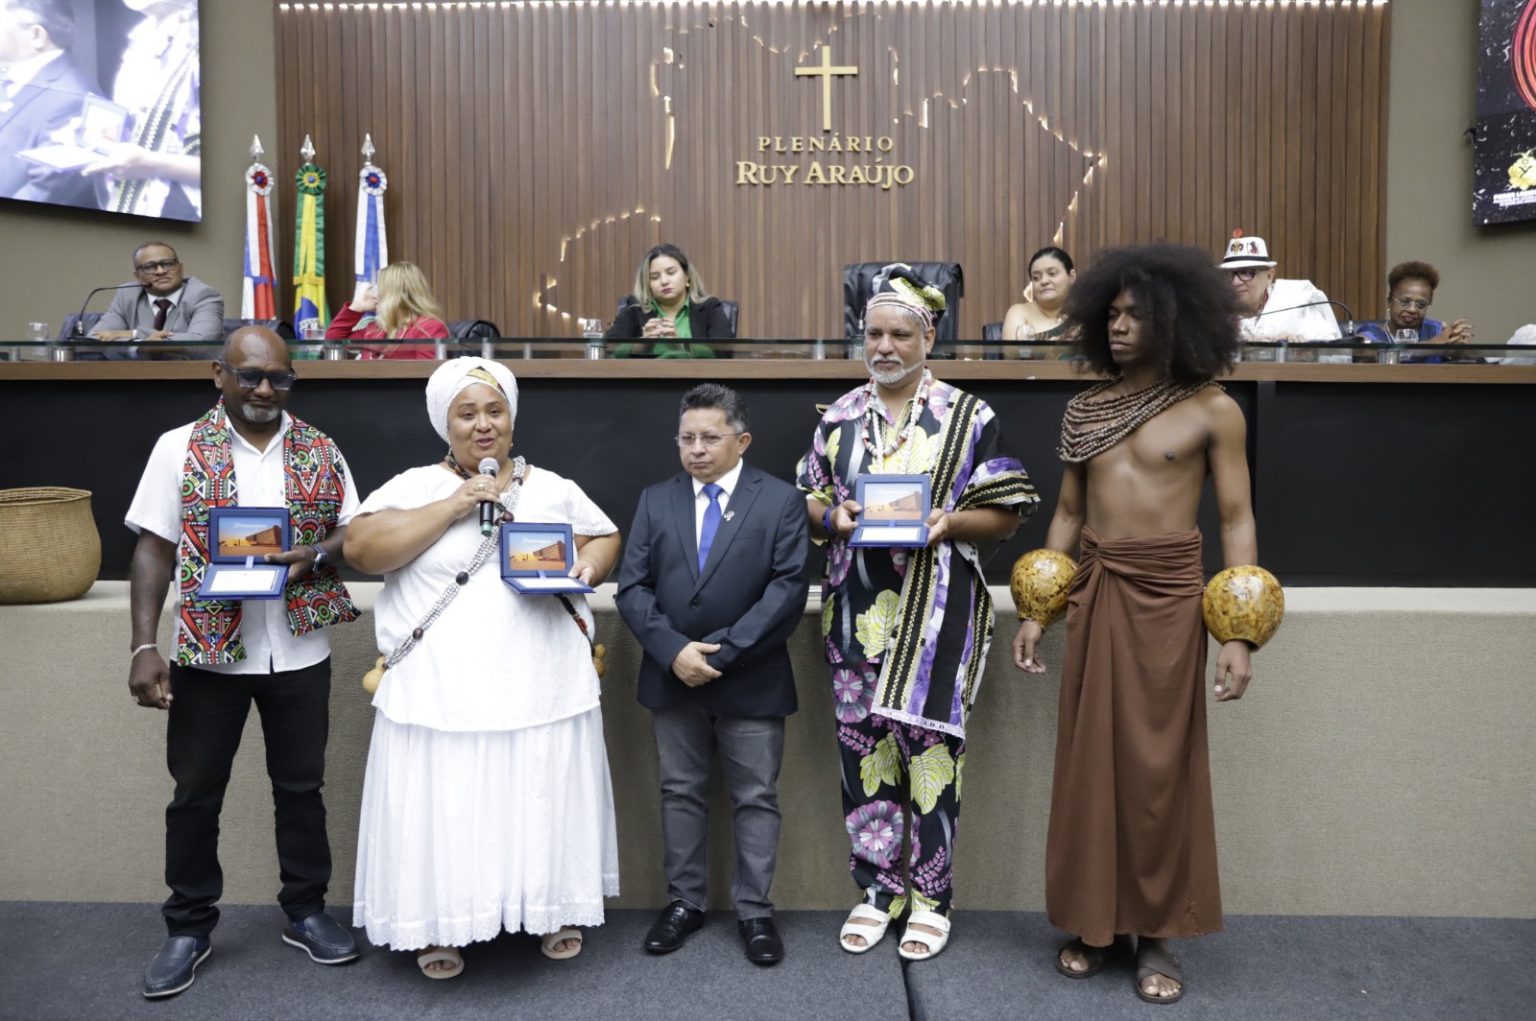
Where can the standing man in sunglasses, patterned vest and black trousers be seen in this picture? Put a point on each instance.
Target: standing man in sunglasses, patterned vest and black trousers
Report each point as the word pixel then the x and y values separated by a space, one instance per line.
pixel 245 452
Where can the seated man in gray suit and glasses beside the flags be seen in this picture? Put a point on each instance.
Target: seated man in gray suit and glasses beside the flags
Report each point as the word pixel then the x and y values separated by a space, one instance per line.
pixel 167 306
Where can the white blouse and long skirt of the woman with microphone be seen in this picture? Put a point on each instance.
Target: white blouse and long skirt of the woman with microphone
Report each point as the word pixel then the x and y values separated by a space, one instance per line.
pixel 488 802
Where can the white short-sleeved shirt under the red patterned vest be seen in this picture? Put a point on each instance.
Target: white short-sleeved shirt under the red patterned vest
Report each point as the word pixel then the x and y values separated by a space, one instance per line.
pixel 260 481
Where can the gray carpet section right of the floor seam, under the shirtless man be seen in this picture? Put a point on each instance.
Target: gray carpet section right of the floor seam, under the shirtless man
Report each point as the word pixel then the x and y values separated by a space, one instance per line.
pixel 1262 968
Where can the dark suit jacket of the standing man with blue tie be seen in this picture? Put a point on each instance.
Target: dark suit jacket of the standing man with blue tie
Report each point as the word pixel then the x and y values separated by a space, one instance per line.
pixel 749 598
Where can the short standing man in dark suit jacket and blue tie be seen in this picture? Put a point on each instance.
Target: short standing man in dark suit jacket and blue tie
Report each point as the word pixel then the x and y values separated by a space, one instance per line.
pixel 713 586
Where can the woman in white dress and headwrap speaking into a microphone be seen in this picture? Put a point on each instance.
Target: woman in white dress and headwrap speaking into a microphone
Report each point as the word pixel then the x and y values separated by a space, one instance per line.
pixel 488 802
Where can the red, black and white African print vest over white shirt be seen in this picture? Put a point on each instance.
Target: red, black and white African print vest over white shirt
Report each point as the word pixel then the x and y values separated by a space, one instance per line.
pixel 316 483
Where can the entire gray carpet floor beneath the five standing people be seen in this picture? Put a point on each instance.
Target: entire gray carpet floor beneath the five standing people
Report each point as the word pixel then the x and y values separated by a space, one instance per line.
pixel 87 962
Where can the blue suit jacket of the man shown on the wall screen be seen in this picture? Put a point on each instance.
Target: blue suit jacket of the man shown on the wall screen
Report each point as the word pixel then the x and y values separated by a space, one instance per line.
pixel 44 105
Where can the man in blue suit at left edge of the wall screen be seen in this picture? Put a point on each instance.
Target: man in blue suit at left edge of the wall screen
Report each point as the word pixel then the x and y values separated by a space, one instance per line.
pixel 41 93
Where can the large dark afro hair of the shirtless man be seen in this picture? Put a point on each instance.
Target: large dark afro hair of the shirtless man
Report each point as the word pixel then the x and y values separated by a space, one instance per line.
pixel 1194 323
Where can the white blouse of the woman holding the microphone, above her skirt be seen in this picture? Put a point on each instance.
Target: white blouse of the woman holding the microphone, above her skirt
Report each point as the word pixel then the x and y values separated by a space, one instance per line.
pixel 495 661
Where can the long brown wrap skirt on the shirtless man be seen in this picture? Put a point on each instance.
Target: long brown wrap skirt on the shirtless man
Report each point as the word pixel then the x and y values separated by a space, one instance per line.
pixel 1133 845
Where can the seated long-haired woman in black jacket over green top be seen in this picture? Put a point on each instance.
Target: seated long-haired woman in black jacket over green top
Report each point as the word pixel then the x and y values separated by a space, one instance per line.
pixel 670 309
